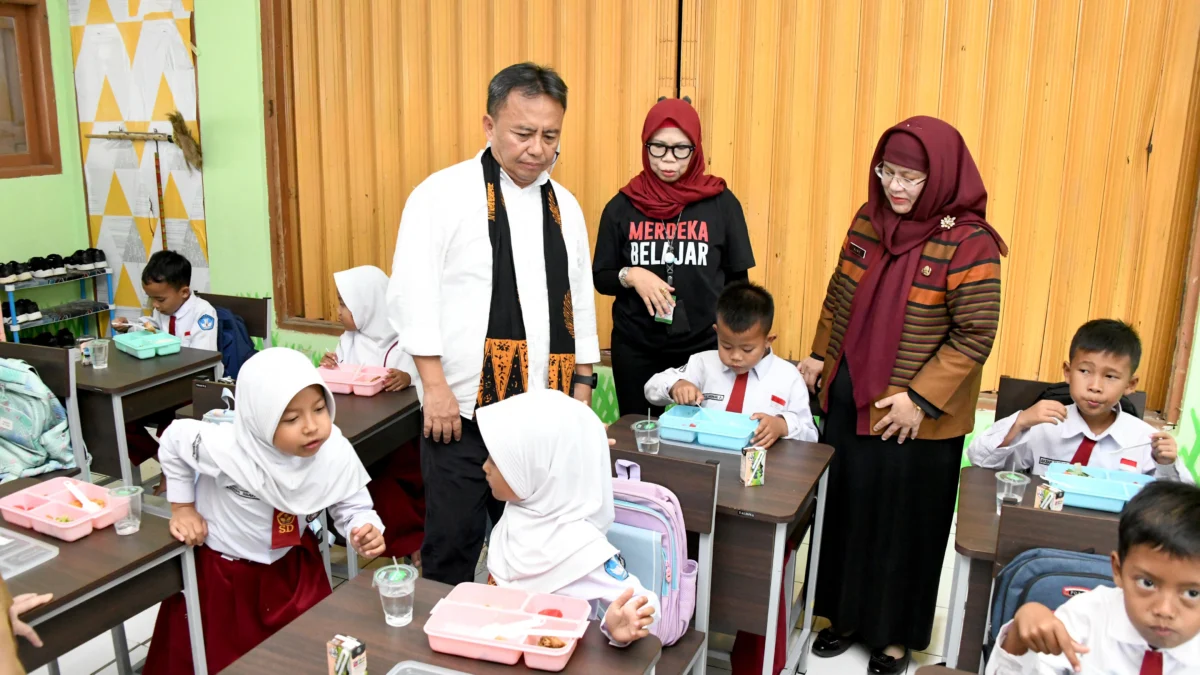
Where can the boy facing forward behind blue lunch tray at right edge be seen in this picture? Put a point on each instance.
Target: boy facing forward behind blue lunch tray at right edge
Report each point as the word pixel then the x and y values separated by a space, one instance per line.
pixel 1094 431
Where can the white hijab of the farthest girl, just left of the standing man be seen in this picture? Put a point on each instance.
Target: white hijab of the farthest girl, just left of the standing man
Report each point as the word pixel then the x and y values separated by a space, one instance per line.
pixel 365 292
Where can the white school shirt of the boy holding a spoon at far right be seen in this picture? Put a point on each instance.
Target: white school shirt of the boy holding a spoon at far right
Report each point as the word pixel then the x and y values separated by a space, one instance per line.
pixel 1047 444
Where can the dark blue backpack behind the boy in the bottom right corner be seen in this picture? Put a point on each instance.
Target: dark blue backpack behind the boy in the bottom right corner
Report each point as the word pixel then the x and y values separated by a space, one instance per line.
pixel 1048 577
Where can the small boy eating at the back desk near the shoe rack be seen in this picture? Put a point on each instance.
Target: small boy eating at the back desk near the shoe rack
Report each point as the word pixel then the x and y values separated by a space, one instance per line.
pixel 167 282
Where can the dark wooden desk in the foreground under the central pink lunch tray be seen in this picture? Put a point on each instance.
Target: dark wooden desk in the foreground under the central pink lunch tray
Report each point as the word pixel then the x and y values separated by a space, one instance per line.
pixel 355 610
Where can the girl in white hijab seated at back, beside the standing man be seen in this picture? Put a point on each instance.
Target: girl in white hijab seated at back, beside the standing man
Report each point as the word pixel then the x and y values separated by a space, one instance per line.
pixel 397 487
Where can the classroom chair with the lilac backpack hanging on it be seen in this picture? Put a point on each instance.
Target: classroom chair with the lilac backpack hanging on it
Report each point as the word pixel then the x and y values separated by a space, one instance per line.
pixel 695 485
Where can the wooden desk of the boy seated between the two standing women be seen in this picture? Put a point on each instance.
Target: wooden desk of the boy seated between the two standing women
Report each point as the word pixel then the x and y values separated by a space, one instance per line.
pixel 753 527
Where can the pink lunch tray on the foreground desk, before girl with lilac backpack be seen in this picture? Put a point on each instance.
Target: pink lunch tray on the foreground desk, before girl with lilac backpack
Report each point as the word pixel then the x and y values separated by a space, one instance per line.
pixel 458 619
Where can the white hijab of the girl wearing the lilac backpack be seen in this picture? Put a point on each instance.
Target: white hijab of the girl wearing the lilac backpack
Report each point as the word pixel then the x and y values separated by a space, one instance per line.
pixel 554 452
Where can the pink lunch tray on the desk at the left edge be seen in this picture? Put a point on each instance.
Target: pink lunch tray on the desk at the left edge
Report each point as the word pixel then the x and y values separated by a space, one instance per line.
pixel 39 507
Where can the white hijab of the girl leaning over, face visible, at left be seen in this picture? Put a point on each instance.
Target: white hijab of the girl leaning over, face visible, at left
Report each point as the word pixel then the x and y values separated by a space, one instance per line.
pixel 244 451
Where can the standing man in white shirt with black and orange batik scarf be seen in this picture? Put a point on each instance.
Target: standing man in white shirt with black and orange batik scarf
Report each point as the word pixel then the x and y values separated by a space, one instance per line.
pixel 491 295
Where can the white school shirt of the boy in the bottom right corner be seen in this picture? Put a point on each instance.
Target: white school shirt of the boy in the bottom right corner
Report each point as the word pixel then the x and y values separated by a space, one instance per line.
pixel 1096 619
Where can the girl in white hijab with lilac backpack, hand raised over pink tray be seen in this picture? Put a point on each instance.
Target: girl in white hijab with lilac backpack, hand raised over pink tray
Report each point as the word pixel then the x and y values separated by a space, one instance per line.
pixel 549 461
